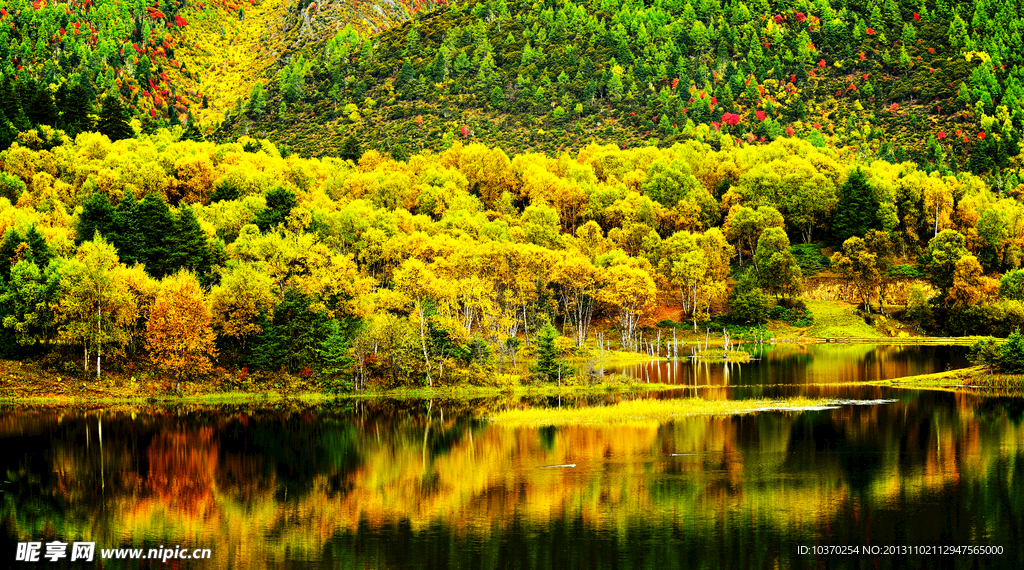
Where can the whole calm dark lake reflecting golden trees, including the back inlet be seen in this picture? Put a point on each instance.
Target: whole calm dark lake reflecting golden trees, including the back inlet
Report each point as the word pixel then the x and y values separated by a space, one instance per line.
pixel 416 485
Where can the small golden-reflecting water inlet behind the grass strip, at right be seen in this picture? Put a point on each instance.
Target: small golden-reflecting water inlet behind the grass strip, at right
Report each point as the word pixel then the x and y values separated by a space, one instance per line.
pixel 802 365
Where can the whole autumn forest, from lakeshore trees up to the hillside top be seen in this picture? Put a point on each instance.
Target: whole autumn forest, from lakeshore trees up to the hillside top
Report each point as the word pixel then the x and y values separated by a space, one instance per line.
pixel 476 194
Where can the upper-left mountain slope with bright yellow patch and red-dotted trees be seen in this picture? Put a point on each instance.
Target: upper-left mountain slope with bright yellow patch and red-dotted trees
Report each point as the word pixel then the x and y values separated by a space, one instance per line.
pixel 167 62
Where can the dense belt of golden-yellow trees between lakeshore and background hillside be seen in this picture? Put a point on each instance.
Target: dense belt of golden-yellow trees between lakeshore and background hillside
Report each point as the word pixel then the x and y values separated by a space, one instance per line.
pixel 425 269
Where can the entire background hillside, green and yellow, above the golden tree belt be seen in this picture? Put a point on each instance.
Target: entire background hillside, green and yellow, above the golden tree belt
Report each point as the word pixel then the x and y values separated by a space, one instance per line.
pixel 936 83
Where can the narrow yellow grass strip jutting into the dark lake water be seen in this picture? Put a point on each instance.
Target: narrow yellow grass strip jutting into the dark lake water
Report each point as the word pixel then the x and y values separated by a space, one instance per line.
pixel 651 411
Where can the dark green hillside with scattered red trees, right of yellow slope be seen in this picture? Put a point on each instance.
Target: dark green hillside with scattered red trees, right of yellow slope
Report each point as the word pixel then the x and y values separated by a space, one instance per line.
pixel 902 81
